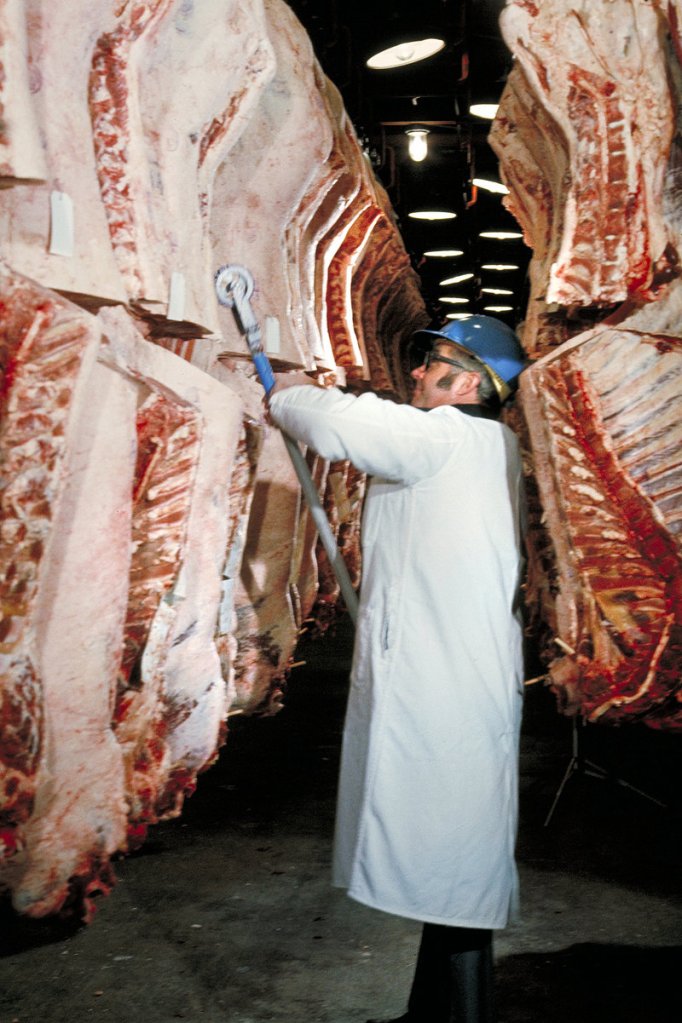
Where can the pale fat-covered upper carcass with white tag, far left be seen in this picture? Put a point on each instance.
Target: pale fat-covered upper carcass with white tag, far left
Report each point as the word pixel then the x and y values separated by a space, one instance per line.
pixel 57 232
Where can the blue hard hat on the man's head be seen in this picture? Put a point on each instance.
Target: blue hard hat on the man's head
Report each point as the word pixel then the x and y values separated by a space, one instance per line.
pixel 490 341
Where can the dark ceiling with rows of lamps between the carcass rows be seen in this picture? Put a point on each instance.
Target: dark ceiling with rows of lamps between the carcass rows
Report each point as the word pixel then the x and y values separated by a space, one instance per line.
pixel 436 95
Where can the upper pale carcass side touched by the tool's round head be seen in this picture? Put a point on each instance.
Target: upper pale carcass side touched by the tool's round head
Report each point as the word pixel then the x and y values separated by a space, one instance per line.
pixel 250 218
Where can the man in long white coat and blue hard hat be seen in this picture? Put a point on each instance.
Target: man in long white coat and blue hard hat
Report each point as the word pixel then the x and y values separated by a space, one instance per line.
pixel 427 813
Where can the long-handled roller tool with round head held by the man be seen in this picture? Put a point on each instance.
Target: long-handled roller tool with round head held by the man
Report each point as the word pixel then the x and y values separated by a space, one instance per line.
pixel 235 287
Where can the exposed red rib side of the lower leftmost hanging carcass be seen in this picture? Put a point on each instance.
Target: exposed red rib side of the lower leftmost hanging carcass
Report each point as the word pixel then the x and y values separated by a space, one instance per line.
pixel 42 348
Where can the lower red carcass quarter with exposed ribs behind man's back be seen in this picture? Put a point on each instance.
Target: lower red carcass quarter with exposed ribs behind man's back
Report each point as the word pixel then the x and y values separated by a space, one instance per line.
pixel 602 469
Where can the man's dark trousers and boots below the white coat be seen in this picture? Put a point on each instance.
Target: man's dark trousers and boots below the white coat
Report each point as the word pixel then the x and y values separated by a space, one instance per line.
pixel 453 981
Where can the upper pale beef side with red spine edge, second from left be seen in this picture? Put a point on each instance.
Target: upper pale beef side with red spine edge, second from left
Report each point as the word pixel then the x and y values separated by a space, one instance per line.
pixel 159 147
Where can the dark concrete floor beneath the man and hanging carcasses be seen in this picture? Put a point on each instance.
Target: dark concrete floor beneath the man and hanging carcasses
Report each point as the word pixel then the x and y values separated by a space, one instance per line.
pixel 228 916
